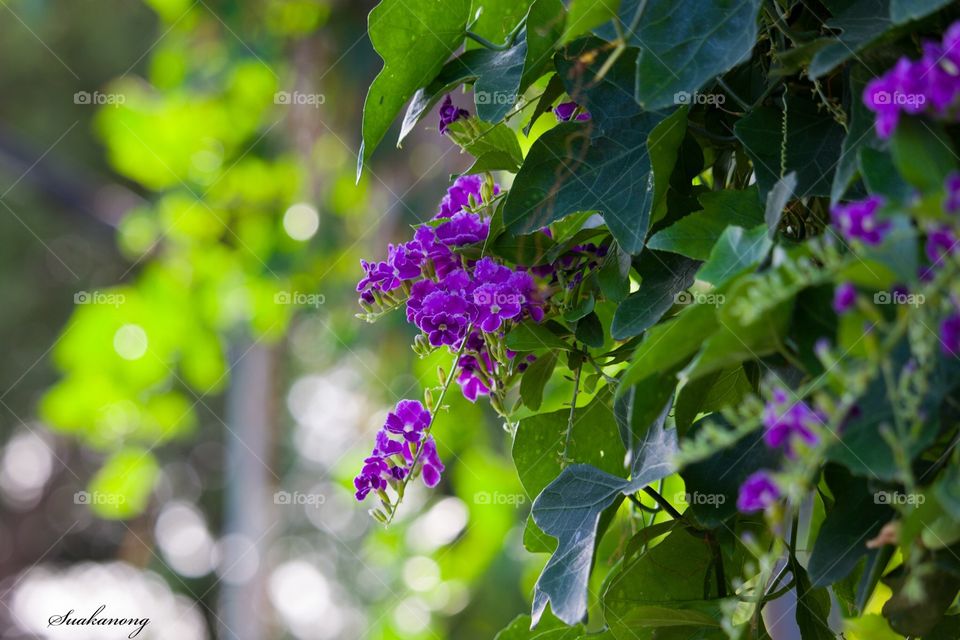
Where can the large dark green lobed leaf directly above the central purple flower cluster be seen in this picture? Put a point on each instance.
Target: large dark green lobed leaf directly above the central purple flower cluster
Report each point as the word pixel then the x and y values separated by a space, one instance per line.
pixel 601 165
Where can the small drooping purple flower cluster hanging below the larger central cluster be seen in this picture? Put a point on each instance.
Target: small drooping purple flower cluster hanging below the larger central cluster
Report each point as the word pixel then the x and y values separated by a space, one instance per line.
pixel 401 442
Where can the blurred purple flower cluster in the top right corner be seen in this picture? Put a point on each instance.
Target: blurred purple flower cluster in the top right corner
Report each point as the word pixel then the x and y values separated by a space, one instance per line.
pixel 928 86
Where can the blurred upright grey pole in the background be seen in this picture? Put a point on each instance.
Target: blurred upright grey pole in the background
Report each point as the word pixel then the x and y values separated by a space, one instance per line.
pixel 248 514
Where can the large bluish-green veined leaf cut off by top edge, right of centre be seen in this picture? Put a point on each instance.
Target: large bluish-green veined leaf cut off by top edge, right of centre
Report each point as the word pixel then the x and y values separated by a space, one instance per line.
pixel 684 44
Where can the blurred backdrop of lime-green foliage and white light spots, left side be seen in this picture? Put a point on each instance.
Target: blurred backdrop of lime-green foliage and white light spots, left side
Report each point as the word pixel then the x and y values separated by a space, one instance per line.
pixel 186 394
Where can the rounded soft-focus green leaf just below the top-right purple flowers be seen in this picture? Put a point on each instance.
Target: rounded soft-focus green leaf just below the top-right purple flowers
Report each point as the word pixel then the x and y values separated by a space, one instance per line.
pixel 922 153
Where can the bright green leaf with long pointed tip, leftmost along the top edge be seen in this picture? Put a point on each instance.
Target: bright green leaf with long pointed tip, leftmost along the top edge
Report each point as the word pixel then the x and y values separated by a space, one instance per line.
pixel 414 38
